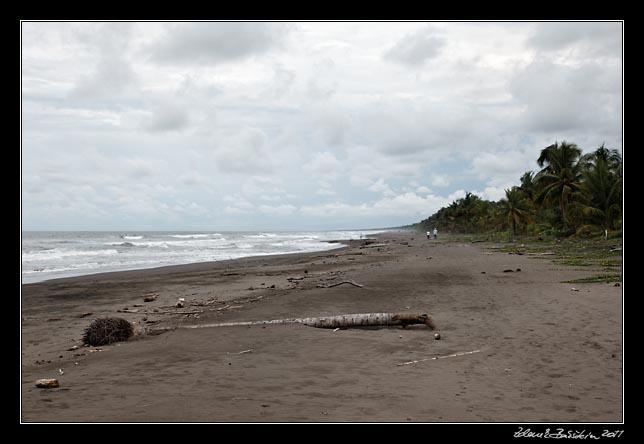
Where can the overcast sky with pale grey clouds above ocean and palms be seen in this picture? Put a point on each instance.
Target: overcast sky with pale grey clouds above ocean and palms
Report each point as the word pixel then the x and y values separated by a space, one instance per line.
pixel 299 125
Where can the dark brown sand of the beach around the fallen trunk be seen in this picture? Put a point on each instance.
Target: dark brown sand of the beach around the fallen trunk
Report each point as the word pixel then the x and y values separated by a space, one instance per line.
pixel 547 353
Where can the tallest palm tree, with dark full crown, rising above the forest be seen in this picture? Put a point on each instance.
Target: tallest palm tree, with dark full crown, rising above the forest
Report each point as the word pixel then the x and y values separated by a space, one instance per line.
pixel 560 175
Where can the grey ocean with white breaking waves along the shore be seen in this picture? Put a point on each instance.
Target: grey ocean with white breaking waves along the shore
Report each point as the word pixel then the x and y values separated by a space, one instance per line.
pixel 50 255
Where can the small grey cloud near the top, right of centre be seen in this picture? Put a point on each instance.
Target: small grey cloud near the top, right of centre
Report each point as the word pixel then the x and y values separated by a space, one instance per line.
pixel 416 48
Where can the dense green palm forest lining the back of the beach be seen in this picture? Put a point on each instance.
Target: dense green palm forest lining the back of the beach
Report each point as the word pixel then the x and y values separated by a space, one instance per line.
pixel 572 194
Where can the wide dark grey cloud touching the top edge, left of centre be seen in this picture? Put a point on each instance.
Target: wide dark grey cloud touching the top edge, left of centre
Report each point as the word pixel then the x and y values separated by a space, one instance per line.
pixel 213 43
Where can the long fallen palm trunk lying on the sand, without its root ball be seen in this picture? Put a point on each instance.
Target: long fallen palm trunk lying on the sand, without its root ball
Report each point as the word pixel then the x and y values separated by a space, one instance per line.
pixel 340 321
